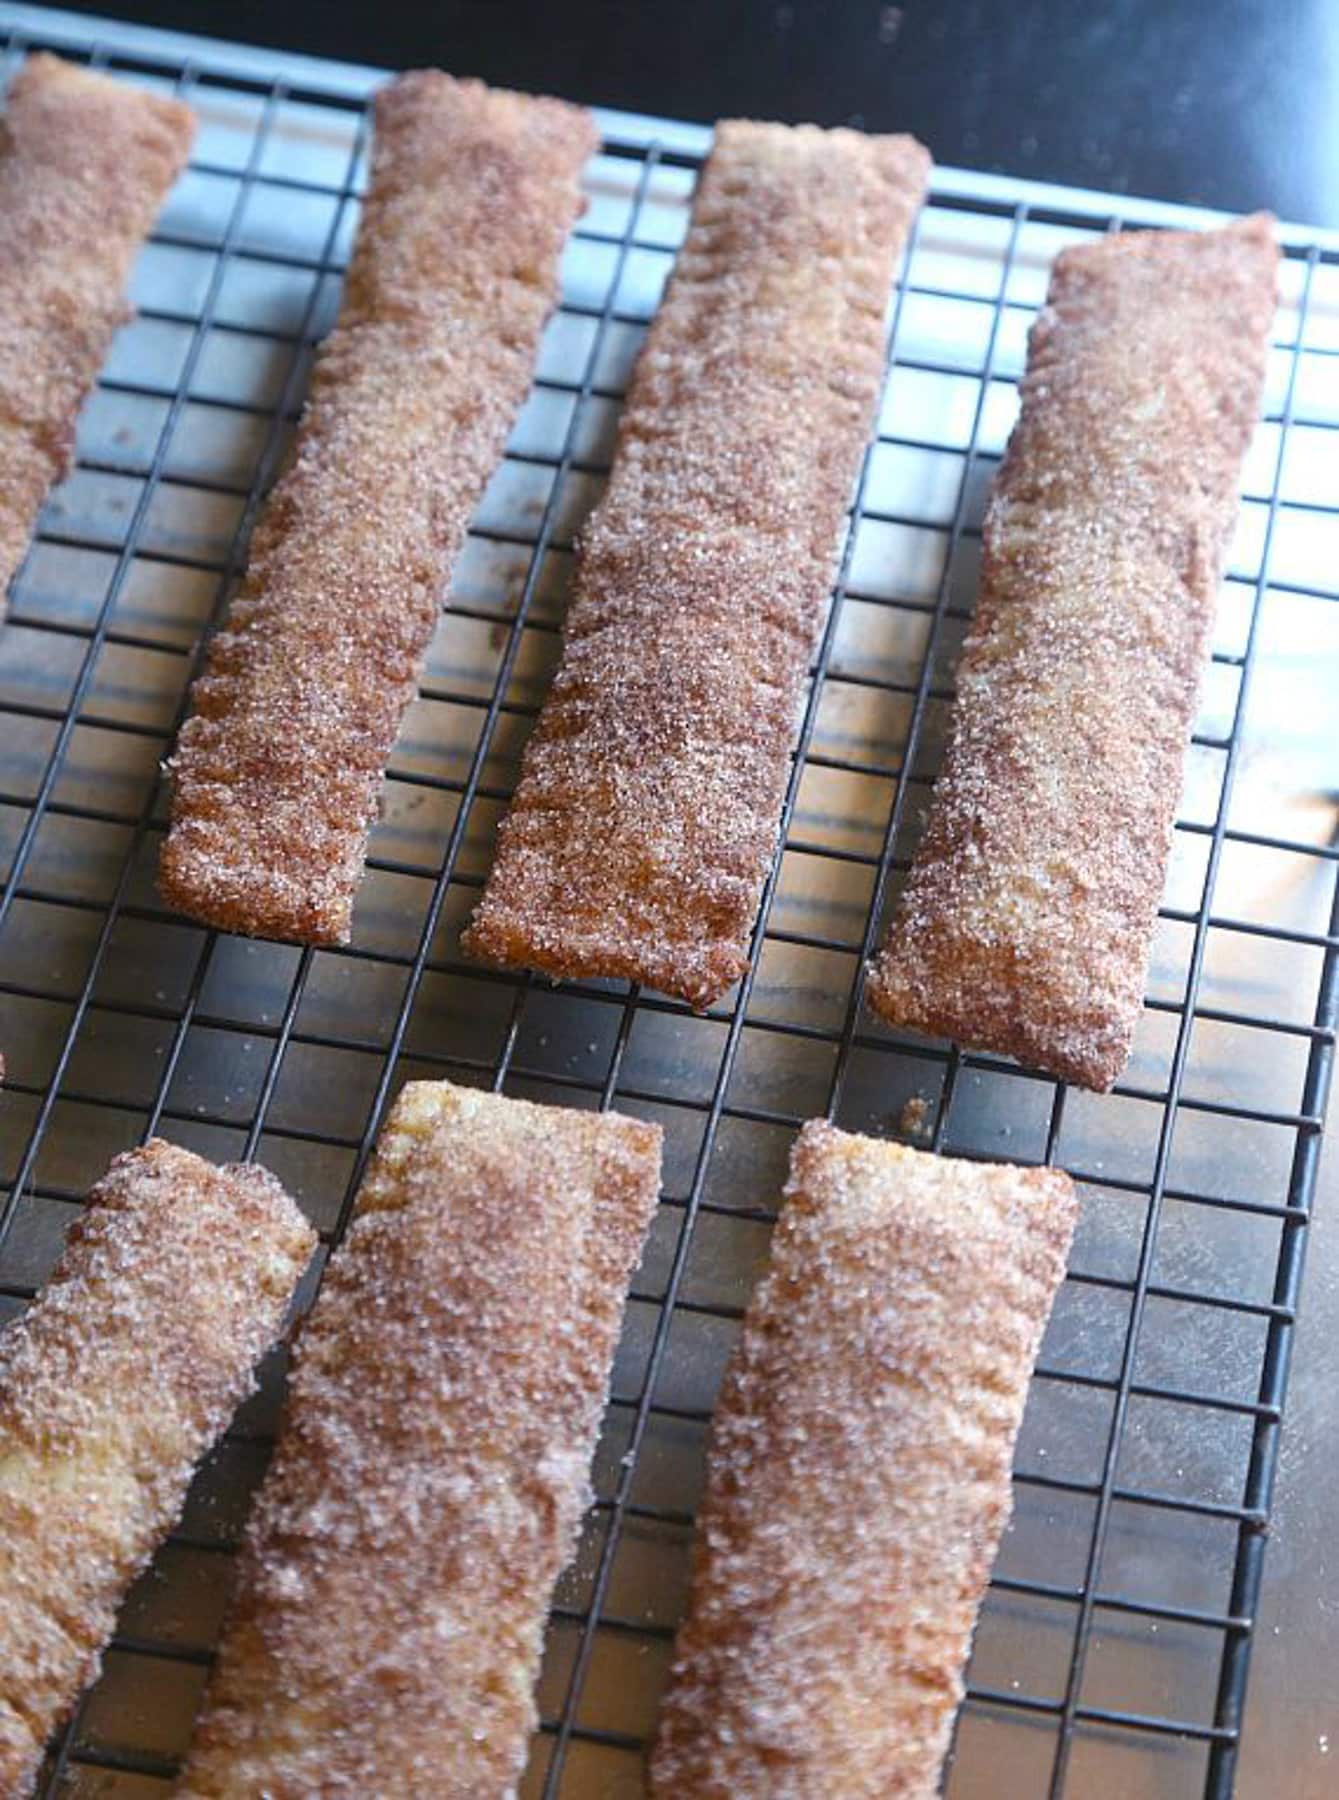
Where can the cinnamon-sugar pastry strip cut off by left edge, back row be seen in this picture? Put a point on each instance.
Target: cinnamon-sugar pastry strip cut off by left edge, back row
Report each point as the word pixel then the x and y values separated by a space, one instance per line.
pixel 85 165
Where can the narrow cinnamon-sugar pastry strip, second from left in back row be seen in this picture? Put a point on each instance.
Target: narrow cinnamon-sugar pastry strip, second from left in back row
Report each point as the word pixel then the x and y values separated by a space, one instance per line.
pixel 278 773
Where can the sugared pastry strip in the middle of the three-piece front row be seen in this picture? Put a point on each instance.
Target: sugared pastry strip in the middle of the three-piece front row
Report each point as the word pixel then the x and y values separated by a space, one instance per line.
pixel 435 1461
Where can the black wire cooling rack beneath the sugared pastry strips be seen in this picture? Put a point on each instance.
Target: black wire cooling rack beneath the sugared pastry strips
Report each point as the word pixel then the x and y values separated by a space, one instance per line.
pixel 1115 1644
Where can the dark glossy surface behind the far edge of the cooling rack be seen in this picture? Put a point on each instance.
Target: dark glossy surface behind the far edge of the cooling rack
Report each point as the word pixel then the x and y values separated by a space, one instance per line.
pixel 1228 103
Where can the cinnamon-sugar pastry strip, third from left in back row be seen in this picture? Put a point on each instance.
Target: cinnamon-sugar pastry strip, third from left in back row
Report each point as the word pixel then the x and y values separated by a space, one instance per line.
pixel 649 804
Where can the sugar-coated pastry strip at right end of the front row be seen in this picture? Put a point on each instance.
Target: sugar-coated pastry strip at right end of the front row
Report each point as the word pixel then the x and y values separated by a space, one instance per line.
pixel 859 1475
